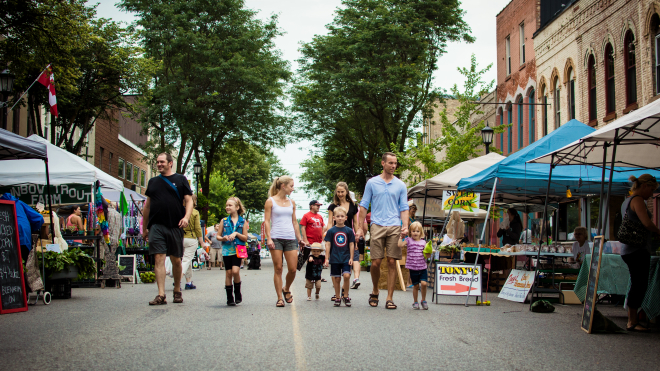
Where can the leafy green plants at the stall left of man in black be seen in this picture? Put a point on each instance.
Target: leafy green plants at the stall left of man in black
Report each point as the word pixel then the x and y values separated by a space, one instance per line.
pixel 65 262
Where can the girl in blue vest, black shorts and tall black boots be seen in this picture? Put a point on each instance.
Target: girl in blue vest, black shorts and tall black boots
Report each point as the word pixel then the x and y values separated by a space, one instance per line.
pixel 233 233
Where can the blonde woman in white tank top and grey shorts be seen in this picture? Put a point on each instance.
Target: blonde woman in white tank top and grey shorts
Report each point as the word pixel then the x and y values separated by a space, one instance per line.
pixel 283 236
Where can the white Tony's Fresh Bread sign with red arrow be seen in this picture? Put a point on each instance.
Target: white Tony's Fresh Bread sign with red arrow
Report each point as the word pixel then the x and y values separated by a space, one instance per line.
pixel 454 279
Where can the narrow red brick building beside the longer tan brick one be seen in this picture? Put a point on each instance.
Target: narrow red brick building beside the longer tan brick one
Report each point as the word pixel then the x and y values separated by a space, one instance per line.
pixel 516 75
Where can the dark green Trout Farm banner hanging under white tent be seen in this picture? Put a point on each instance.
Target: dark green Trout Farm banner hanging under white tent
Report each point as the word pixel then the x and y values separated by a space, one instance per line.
pixel 61 194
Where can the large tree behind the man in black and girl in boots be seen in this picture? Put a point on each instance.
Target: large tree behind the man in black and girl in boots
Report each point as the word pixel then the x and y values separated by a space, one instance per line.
pixel 219 79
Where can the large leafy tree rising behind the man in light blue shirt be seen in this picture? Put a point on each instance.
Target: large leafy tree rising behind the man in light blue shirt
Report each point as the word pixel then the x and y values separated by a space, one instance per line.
pixel 367 83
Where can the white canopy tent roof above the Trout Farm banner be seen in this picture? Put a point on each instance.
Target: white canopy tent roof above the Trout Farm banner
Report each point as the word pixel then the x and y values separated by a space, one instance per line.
pixel 64 168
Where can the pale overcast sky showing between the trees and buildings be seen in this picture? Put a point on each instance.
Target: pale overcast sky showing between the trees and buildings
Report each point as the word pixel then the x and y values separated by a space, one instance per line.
pixel 300 20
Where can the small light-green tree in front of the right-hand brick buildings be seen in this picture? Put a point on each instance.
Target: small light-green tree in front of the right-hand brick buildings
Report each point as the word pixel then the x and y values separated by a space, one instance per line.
pixel 460 140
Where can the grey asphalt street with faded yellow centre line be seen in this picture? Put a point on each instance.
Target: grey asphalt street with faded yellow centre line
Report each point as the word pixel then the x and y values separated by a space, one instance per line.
pixel 115 329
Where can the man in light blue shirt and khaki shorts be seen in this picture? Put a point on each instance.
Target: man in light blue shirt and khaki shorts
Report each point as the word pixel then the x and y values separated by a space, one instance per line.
pixel 389 221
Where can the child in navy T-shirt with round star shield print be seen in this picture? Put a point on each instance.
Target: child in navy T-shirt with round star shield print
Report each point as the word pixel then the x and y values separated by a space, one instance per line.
pixel 340 244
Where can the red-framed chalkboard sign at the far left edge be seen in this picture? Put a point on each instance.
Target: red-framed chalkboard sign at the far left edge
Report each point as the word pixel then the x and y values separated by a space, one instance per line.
pixel 12 292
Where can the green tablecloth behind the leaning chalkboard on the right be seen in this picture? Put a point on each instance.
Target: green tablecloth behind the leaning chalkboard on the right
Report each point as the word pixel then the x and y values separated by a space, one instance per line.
pixel 613 279
